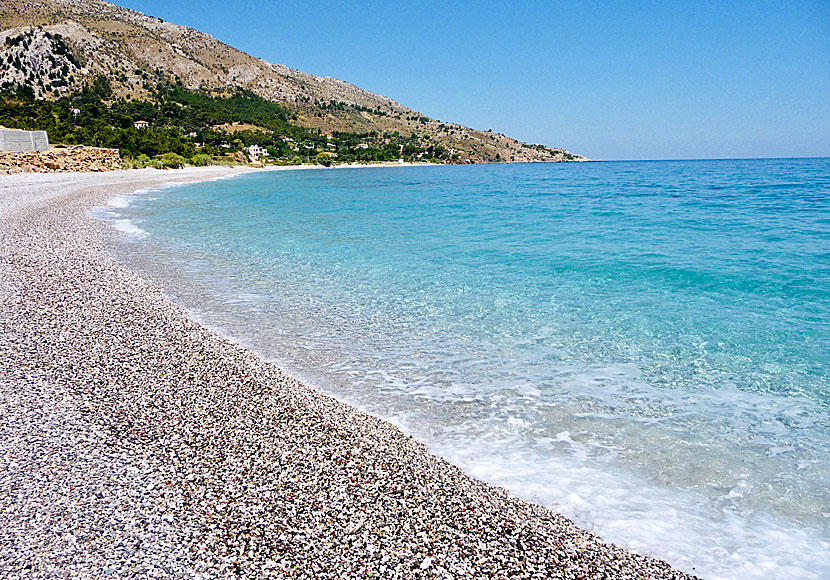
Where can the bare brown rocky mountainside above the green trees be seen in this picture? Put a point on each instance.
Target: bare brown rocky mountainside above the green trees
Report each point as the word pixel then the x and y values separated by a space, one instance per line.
pixel 57 46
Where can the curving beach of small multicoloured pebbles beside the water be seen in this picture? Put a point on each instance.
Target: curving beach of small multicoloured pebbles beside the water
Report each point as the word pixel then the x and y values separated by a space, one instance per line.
pixel 138 443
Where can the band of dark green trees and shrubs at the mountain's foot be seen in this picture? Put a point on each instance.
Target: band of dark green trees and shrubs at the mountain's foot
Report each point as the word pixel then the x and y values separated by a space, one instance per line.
pixel 184 124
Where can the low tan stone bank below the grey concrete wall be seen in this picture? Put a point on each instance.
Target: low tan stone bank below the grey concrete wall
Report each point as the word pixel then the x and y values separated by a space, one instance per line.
pixel 60 159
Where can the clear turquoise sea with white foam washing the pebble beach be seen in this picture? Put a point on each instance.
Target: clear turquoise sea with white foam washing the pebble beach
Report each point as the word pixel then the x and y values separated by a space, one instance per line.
pixel 643 346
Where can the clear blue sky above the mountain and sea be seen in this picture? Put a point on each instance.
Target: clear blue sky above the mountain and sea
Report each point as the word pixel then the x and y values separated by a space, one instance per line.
pixel 628 80
